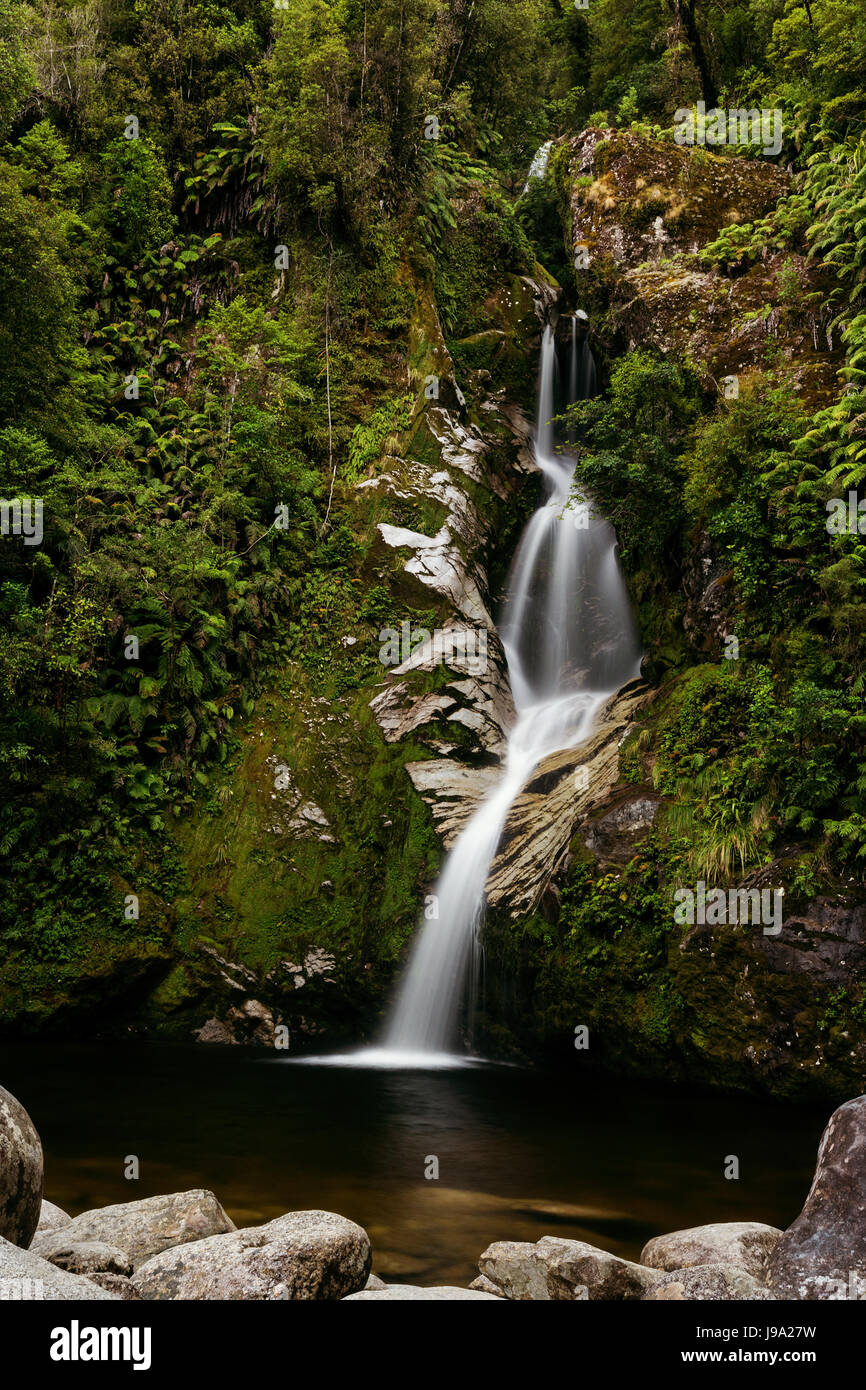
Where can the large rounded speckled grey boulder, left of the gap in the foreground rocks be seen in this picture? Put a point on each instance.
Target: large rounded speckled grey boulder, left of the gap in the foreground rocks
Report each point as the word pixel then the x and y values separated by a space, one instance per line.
pixel 301 1256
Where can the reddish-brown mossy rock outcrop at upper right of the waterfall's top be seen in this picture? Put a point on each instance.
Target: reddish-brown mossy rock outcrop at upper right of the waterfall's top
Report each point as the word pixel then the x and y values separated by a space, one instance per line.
pixel 648 212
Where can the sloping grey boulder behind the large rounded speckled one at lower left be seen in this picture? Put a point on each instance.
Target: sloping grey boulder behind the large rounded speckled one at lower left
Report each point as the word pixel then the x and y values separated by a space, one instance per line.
pixel 155 1224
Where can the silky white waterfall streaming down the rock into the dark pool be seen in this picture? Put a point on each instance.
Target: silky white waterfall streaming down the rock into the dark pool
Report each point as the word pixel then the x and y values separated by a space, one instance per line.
pixel 571 643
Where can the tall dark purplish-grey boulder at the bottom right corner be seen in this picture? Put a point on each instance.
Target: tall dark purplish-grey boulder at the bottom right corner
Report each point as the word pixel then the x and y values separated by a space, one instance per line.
pixel 824 1254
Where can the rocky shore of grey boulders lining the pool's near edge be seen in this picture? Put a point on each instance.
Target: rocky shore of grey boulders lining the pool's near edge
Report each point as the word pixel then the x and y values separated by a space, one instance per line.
pixel 184 1246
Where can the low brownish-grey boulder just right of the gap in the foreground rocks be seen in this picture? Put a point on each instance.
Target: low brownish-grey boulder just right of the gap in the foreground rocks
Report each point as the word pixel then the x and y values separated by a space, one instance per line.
pixel 559 1270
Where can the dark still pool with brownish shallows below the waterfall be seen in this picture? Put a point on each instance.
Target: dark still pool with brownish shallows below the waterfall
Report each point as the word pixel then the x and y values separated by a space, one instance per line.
pixel 522 1154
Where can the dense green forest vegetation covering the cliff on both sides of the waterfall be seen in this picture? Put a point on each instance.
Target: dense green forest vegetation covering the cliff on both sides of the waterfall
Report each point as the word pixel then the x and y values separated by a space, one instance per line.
pixel 216 227
